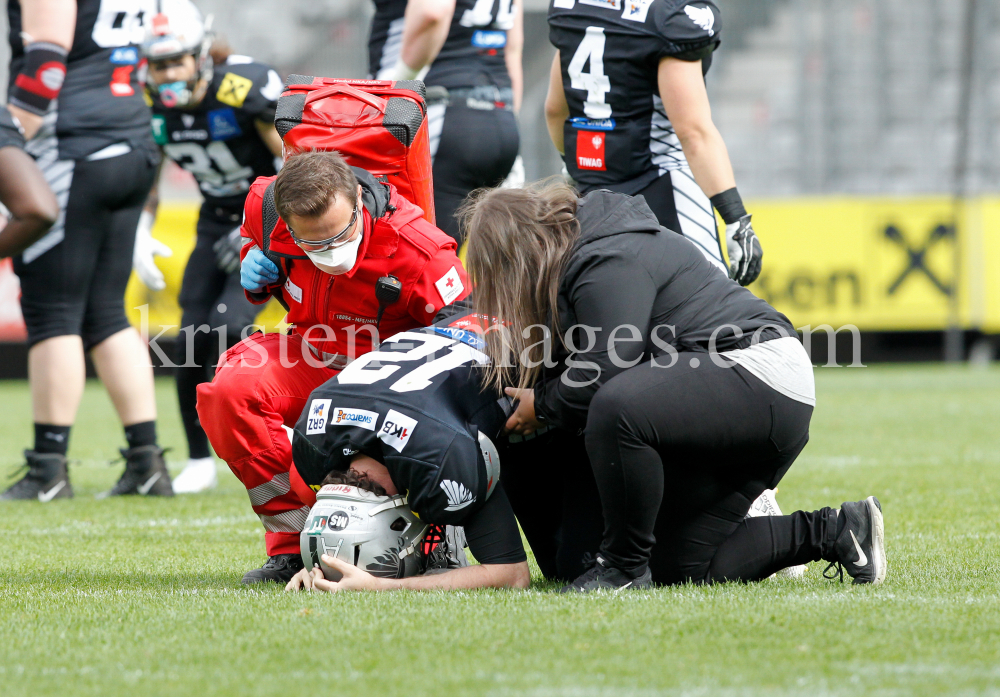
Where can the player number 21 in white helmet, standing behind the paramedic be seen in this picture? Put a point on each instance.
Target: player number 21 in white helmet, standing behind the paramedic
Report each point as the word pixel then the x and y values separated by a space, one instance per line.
pixel 213 114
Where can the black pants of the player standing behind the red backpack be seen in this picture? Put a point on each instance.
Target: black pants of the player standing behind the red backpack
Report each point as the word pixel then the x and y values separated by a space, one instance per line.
pixel 477 149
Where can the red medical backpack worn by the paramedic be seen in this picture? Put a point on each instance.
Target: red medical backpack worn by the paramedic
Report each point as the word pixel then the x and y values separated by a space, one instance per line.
pixel 377 125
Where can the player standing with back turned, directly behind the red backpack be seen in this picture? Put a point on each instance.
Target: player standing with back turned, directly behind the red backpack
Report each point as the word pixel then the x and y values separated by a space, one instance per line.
pixel 468 52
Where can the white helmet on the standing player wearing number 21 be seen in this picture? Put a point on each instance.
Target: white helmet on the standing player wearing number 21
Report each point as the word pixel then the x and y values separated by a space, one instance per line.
pixel 178 30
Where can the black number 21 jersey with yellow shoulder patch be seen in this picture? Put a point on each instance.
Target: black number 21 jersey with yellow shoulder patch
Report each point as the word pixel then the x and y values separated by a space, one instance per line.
pixel 217 141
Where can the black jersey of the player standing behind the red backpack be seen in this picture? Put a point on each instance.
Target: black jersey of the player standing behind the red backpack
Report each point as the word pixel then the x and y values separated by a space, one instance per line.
pixel 473 53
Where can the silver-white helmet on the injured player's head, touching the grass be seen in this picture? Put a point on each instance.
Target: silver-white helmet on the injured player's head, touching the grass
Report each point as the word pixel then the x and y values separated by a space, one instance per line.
pixel 379 534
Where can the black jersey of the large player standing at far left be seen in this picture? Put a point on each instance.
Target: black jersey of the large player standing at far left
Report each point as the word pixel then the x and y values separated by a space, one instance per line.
pixel 101 101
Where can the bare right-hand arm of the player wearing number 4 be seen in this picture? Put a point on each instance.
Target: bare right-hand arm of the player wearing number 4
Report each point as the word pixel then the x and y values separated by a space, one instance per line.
pixel 682 89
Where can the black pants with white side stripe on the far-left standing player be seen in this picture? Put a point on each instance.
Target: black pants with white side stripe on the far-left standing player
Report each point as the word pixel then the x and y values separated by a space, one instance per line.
pixel 77 287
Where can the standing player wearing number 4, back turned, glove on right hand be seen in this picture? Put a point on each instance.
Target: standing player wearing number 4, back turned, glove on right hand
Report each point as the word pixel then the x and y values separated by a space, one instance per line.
pixel 628 109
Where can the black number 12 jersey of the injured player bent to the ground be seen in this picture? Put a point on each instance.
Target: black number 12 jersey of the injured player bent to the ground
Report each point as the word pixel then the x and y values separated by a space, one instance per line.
pixel 417 406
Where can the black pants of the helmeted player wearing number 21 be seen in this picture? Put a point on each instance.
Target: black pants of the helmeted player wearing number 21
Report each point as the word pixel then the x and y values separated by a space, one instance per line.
pixel 209 299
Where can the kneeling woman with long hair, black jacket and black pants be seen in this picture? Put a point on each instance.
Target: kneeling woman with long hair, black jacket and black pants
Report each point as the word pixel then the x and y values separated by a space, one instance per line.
pixel 694 395
